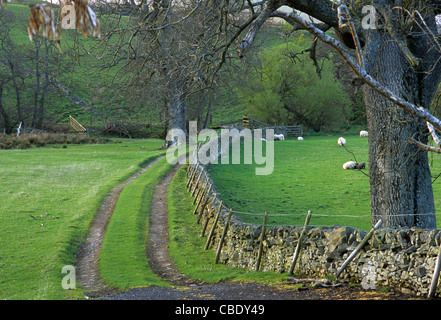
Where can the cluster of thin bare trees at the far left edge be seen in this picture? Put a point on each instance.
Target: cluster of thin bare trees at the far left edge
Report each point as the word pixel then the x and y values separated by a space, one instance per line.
pixel 24 77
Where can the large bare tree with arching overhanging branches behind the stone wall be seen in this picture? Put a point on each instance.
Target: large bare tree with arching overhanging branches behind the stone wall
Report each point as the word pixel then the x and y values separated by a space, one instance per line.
pixel 398 60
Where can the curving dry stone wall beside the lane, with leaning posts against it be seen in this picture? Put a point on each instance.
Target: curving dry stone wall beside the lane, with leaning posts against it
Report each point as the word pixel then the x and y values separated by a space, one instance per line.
pixel 401 258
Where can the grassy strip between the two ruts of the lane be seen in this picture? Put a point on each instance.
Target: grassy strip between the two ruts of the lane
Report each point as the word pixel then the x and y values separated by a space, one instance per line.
pixel 123 261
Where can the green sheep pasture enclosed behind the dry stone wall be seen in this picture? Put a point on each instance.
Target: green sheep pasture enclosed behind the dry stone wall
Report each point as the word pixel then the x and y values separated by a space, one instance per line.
pixel 308 175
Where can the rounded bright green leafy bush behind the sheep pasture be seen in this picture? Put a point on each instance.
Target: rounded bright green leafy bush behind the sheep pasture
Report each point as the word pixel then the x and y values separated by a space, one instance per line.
pixel 286 88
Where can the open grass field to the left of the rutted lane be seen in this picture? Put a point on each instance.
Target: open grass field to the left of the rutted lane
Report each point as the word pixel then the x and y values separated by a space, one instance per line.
pixel 68 184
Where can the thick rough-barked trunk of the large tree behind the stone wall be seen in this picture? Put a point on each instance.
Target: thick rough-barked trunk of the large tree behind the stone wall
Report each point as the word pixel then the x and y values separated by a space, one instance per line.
pixel 400 180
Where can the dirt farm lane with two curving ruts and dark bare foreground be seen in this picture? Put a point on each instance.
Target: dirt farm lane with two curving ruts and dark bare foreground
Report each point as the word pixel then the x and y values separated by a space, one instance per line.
pixel 185 288
